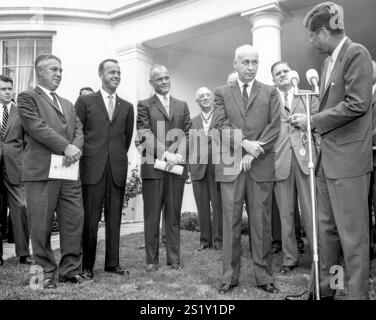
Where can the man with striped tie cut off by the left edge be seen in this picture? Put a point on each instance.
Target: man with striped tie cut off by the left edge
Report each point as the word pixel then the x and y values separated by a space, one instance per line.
pixel 11 161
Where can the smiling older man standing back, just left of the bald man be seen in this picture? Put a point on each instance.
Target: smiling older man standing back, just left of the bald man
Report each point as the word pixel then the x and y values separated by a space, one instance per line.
pixel 206 190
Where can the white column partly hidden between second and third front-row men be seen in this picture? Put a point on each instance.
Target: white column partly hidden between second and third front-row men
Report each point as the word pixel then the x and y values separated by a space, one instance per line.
pixel 135 63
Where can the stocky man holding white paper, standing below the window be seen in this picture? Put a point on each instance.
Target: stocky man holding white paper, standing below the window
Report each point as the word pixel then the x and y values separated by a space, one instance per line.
pixel 52 127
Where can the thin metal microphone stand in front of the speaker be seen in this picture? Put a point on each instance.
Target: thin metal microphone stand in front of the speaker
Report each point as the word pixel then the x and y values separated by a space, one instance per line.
pixel 308 94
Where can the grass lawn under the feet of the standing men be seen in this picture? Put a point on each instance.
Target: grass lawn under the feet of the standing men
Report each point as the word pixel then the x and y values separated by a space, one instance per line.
pixel 198 280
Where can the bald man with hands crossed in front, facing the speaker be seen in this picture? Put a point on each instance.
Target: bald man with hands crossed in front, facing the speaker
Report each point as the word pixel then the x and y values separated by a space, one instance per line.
pixel 246 112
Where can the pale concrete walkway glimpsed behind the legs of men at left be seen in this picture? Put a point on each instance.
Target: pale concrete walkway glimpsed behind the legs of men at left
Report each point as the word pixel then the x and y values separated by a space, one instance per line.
pixel 126 228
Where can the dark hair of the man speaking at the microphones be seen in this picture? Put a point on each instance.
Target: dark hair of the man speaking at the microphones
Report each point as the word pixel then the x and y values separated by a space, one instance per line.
pixel 328 15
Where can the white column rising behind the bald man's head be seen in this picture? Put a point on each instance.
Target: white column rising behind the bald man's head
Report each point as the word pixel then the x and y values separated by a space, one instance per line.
pixel 266 37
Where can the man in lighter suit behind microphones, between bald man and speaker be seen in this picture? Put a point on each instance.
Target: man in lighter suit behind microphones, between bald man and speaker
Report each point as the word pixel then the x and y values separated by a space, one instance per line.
pixel 291 167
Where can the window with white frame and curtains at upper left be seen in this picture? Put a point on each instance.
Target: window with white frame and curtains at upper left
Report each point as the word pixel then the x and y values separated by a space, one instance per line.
pixel 17 58
